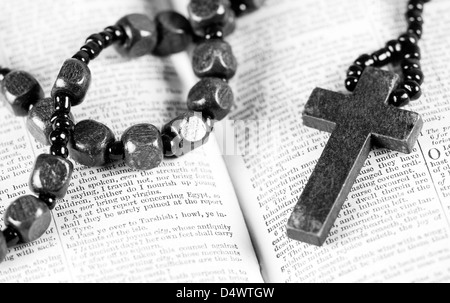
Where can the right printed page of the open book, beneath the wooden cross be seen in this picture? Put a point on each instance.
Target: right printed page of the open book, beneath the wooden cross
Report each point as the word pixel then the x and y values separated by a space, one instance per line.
pixel 395 224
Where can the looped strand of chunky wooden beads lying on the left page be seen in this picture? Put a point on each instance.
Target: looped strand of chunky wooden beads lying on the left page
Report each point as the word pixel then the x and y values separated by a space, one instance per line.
pixel 142 146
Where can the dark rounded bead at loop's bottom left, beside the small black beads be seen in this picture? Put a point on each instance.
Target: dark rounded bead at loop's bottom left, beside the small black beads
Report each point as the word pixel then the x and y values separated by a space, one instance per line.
pixel 90 142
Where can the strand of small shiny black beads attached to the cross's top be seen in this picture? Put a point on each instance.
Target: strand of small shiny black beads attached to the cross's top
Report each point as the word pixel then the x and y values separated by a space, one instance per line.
pixel 404 50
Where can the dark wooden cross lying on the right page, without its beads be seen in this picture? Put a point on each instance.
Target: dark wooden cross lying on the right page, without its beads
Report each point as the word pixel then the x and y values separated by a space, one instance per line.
pixel 356 123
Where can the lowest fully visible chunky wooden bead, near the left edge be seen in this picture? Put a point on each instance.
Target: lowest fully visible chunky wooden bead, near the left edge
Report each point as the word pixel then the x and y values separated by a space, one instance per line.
pixel 29 216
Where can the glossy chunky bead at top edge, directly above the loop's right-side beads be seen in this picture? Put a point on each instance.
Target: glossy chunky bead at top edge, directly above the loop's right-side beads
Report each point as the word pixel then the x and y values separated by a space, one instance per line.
pixel 211 13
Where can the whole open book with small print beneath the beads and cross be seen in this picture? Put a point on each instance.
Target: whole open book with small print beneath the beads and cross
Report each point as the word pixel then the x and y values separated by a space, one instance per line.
pixel 219 213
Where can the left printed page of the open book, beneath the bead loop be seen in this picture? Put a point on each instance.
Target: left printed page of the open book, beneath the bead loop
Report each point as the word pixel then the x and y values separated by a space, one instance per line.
pixel 179 222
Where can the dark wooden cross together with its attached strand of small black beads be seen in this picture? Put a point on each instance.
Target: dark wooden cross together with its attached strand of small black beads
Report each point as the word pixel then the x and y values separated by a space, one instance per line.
pixel 357 122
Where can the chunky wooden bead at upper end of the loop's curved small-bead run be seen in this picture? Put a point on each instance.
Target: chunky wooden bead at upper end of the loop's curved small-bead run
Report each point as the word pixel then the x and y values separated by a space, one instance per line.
pixel 141 35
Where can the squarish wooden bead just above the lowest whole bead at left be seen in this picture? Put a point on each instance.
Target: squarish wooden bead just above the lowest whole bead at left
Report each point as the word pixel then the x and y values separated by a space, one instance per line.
pixel 51 175
